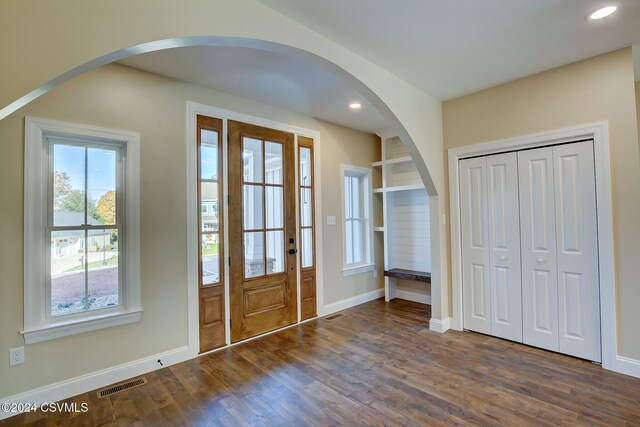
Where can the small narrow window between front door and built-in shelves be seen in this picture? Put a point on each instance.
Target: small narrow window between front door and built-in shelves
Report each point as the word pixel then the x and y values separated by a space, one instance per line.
pixel 357 226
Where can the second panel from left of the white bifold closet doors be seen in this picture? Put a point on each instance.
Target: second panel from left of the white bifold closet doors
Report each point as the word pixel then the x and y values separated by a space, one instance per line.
pixel 504 245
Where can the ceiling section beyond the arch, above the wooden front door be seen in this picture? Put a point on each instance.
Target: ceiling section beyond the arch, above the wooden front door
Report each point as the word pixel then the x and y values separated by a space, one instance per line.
pixel 272 78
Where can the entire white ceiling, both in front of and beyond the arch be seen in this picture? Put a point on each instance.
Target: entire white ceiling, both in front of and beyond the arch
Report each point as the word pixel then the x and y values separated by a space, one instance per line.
pixel 447 48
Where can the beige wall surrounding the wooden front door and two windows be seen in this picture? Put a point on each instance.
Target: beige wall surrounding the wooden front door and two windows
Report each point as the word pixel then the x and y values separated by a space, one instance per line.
pixel 122 98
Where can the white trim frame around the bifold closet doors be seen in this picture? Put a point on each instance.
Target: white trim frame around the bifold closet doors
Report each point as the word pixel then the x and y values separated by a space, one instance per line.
pixel 599 132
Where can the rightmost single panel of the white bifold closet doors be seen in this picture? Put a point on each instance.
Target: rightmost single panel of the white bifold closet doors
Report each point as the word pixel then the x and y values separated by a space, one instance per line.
pixel 577 246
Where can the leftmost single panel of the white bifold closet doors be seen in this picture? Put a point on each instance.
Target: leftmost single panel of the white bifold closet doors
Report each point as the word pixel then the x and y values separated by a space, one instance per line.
pixel 476 293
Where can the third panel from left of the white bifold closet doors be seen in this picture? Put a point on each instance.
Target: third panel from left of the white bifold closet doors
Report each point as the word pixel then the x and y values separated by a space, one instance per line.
pixel 538 235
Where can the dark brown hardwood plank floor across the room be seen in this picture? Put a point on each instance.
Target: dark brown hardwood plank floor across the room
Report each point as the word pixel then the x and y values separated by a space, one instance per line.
pixel 378 364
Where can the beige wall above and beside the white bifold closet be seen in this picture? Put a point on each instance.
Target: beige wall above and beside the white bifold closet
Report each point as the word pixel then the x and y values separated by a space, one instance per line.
pixel 597 89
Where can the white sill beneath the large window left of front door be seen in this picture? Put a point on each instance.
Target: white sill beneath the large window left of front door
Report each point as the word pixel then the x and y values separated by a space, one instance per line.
pixel 61 329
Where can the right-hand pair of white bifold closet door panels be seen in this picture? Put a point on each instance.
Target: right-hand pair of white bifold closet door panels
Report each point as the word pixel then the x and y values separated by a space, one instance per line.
pixel 560 286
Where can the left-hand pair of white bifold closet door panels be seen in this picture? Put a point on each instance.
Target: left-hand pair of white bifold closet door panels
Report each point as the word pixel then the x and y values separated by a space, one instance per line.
pixel 491 246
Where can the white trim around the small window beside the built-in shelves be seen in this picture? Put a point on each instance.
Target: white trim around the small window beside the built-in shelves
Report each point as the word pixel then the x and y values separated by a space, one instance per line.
pixel 367 264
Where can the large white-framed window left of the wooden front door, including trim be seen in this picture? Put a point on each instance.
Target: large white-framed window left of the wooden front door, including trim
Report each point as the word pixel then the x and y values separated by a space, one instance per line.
pixel 81 229
